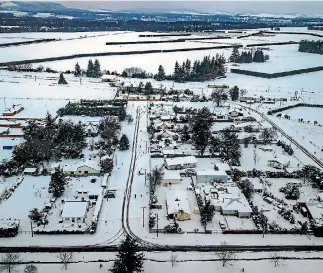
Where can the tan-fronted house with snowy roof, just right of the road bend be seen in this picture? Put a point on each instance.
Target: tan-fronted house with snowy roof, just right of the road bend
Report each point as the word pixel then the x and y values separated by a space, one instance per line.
pixel 177 205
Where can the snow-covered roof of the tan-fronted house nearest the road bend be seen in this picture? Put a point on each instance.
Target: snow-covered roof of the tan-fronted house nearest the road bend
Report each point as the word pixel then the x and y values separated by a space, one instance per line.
pixel 177 201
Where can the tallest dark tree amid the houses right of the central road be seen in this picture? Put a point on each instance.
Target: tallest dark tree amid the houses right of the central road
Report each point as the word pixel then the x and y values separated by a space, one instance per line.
pixel 200 127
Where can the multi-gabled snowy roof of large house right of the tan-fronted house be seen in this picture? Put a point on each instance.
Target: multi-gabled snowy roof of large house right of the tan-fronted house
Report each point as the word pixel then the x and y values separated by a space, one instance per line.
pixel 233 200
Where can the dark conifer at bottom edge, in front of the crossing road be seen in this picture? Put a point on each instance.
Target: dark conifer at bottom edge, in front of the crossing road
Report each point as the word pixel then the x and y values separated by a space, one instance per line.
pixel 129 260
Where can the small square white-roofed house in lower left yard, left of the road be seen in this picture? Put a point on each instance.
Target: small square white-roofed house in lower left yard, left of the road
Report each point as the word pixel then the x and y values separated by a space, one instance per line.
pixel 74 212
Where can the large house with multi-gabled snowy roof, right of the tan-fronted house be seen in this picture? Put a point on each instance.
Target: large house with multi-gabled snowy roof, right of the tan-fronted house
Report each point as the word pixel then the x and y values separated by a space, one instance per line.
pixel 232 202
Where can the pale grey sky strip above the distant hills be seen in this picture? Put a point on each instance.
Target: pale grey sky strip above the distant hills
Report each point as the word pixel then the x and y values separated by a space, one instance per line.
pixel 274 7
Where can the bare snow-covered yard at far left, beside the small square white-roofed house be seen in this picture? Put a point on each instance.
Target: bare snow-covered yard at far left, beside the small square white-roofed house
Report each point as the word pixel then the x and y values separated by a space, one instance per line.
pixel 31 193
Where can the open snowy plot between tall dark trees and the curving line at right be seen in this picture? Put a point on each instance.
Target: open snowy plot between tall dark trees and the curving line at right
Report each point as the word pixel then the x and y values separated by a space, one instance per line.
pixel 257 158
